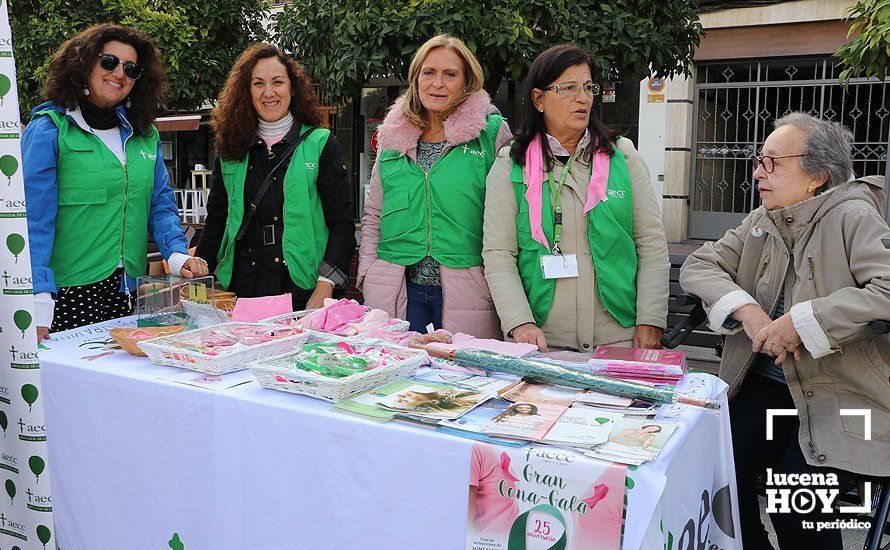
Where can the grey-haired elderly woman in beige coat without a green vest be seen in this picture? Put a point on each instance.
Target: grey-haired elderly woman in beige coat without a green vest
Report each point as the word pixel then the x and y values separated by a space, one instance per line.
pixel 794 288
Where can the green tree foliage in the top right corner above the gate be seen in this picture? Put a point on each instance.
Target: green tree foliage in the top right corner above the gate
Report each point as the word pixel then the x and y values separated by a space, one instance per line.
pixel 869 53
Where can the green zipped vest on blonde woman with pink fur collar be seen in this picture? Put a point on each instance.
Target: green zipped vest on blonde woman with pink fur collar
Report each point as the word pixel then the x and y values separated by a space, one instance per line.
pixel 446 202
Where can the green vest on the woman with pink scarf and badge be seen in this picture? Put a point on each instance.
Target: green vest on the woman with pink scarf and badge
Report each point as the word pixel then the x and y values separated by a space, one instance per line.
pixel 609 235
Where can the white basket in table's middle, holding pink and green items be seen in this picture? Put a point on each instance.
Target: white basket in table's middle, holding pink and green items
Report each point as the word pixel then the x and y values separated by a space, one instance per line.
pixel 270 374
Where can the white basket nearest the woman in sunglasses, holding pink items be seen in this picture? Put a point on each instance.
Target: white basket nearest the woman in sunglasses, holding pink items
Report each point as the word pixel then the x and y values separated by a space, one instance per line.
pixel 161 351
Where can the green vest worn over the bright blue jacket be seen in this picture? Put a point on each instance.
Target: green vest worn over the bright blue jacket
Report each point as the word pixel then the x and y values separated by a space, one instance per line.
pixel 103 205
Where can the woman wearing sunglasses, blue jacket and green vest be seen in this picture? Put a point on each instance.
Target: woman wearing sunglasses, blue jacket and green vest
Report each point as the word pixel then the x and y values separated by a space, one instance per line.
pixel 95 180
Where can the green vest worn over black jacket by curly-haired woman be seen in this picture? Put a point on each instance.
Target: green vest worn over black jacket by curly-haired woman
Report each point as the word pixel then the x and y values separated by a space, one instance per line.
pixel 305 235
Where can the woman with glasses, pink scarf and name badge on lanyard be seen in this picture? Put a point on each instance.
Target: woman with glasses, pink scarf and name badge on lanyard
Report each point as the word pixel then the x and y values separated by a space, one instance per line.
pixel 574 248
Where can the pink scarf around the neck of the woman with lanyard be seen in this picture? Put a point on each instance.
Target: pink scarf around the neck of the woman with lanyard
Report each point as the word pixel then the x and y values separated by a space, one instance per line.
pixel 533 172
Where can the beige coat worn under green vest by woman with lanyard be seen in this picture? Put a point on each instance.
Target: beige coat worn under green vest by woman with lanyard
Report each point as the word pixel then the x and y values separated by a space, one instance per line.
pixel 577 319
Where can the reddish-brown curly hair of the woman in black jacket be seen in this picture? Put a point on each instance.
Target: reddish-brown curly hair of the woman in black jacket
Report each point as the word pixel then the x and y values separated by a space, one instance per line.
pixel 234 121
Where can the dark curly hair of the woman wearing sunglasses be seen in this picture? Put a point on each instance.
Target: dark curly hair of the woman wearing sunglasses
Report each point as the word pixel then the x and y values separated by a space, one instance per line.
pixel 72 64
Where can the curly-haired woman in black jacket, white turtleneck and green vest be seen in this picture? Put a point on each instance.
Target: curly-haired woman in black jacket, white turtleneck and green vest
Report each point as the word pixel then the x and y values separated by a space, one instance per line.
pixel 279 214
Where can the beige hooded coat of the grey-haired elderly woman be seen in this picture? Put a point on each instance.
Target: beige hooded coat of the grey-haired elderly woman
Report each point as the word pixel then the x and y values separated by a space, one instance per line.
pixel 827 253
